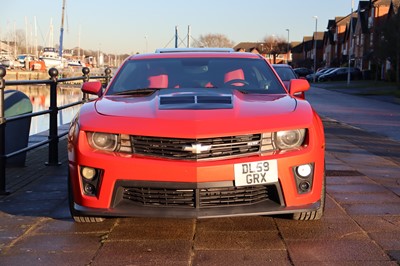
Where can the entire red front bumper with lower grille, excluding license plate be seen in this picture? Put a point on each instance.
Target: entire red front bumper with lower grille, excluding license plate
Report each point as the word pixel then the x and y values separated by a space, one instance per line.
pixel 123 176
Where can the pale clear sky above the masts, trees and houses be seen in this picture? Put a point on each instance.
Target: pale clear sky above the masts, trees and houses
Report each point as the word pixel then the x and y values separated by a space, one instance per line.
pixel 131 26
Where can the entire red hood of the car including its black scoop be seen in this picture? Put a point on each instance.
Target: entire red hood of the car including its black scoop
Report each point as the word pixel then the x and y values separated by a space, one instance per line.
pixel 195 113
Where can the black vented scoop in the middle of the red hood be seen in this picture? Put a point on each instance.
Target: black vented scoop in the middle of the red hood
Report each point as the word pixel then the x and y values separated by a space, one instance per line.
pixel 196 102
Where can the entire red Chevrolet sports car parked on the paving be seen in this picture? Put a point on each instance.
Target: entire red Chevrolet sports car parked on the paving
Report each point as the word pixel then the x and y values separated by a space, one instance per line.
pixel 196 133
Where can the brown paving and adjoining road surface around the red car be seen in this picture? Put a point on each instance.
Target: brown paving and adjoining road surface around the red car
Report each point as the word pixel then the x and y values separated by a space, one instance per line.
pixel 361 225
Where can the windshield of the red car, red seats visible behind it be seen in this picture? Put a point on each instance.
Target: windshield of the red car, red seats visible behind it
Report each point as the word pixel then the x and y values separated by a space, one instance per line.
pixel 247 75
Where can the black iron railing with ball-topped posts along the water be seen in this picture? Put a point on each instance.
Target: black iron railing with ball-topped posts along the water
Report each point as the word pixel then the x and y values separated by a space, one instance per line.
pixel 53 135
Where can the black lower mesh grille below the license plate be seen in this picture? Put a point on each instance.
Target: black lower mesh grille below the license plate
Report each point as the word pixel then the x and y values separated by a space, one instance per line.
pixel 201 197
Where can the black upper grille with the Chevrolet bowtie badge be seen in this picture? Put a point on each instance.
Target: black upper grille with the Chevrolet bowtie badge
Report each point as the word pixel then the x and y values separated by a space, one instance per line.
pixel 201 149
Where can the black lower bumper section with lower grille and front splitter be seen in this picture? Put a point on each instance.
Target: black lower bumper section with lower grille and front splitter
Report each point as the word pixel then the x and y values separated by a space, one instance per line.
pixel 193 200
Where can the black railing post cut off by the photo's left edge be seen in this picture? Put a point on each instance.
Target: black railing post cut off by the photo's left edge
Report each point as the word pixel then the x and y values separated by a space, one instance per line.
pixel 3 158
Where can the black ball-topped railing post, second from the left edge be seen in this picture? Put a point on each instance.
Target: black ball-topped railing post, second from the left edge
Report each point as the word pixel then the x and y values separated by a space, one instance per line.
pixel 53 127
